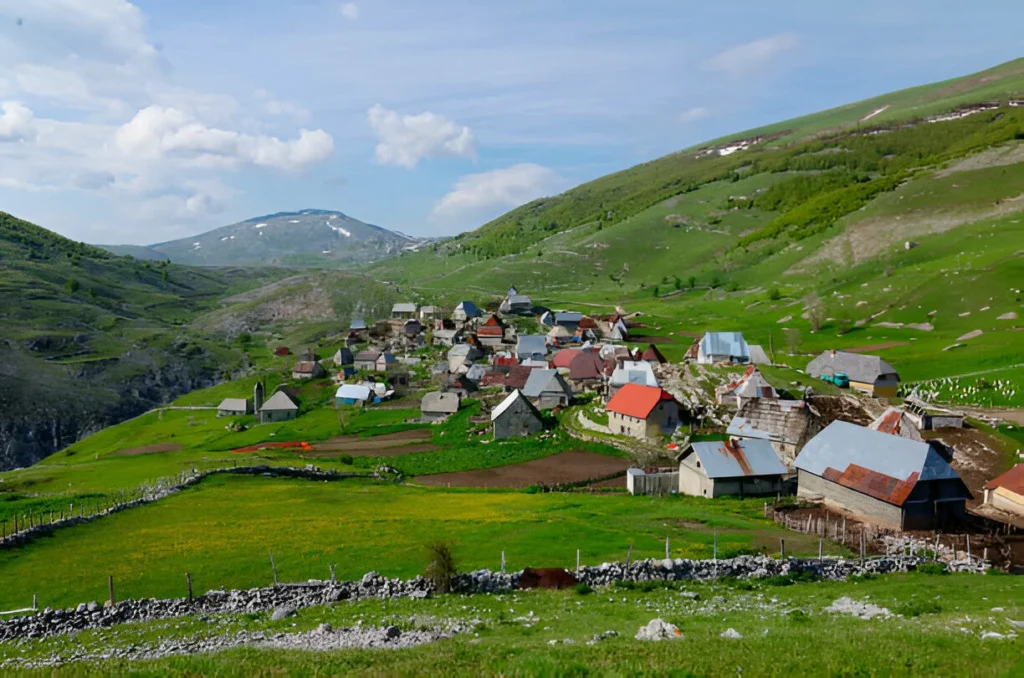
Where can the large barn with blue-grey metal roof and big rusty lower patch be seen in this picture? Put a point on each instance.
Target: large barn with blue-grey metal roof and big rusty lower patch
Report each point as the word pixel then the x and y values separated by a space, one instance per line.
pixel 884 479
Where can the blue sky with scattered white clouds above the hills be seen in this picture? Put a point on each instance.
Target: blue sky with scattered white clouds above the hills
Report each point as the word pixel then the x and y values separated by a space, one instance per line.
pixel 142 122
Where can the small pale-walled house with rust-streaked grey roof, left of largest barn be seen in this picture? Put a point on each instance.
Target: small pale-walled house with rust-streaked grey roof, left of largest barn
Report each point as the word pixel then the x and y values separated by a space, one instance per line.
pixel 735 468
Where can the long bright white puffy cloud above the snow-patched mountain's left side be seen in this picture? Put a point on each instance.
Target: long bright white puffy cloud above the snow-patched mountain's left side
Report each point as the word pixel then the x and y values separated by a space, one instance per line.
pixel 156 132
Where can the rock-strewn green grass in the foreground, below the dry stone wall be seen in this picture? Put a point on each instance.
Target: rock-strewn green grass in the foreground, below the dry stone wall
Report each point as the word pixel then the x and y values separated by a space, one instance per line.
pixel 786 631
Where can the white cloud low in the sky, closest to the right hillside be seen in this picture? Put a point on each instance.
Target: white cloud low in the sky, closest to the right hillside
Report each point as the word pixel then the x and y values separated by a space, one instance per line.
pixel 478 195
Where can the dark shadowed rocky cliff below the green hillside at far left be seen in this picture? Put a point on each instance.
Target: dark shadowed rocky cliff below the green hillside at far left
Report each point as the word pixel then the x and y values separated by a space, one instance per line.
pixel 45 408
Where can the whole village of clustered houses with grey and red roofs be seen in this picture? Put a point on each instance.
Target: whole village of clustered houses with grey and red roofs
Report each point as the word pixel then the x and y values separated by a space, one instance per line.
pixel 771 445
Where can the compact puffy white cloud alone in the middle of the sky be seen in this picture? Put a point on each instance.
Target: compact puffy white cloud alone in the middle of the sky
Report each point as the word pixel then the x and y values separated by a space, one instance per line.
pixel 405 141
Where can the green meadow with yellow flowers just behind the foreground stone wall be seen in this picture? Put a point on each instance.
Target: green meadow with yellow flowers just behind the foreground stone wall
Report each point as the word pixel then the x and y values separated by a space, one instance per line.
pixel 223 530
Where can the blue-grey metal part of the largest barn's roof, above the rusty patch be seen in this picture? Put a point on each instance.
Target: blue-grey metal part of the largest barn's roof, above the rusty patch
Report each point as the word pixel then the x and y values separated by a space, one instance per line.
pixel 842 444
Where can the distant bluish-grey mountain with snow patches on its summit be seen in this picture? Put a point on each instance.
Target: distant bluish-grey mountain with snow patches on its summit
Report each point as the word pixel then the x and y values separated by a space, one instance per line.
pixel 307 239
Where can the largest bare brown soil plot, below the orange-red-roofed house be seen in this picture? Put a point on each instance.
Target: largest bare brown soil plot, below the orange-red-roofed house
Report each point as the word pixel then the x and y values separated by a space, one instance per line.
pixel 558 470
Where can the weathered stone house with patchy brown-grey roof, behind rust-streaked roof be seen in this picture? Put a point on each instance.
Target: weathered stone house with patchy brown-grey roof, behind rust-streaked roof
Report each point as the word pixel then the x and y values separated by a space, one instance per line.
pixel 788 426
